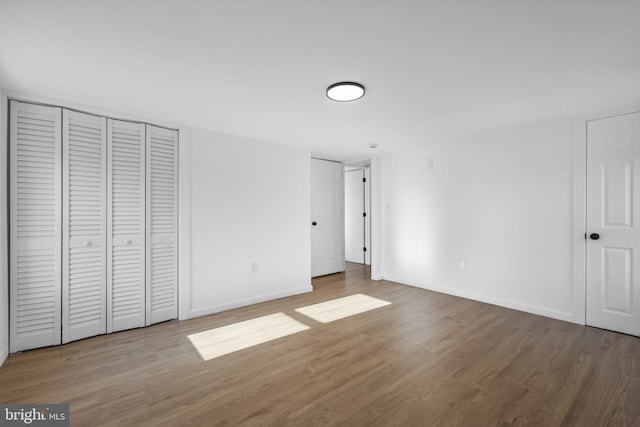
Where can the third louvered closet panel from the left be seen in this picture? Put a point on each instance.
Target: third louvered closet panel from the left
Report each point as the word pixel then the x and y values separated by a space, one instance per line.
pixel 126 242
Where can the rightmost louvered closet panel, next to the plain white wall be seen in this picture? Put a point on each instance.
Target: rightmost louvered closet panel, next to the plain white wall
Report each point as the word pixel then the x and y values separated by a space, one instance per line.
pixel 162 224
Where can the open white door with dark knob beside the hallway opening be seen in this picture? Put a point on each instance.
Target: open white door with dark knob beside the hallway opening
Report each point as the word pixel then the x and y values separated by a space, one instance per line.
pixel 327 217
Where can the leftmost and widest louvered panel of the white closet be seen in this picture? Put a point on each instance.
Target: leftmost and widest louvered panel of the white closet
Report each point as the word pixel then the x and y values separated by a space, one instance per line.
pixel 35 225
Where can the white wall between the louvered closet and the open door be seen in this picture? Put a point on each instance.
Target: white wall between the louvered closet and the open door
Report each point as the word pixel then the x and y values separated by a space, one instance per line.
pixel 250 207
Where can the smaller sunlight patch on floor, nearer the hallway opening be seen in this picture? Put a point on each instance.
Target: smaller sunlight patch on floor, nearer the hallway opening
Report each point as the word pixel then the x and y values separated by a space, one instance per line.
pixel 340 308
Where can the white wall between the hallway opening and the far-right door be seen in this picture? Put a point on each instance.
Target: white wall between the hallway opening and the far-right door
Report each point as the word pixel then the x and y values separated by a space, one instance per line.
pixel 502 202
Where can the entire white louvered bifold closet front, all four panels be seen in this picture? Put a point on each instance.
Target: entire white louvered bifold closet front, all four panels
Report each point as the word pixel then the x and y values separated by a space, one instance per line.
pixel 93 225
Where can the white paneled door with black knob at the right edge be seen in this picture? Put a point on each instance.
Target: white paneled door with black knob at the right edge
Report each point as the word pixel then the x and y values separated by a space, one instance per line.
pixel 613 223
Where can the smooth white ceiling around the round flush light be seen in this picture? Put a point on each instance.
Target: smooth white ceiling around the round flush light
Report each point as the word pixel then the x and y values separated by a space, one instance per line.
pixel 434 70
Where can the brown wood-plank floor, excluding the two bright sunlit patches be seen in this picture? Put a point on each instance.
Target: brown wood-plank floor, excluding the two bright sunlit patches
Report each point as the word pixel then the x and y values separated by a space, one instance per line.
pixel 426 359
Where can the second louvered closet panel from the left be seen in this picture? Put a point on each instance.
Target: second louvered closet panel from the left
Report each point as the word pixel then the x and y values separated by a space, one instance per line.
pixel 84 226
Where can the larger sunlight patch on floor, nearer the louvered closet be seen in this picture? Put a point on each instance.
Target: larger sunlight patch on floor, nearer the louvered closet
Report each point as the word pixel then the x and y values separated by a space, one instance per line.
pixel 238 336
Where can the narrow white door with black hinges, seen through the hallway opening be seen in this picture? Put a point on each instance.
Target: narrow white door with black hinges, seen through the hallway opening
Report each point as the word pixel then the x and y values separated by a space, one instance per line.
pixel 354 216
